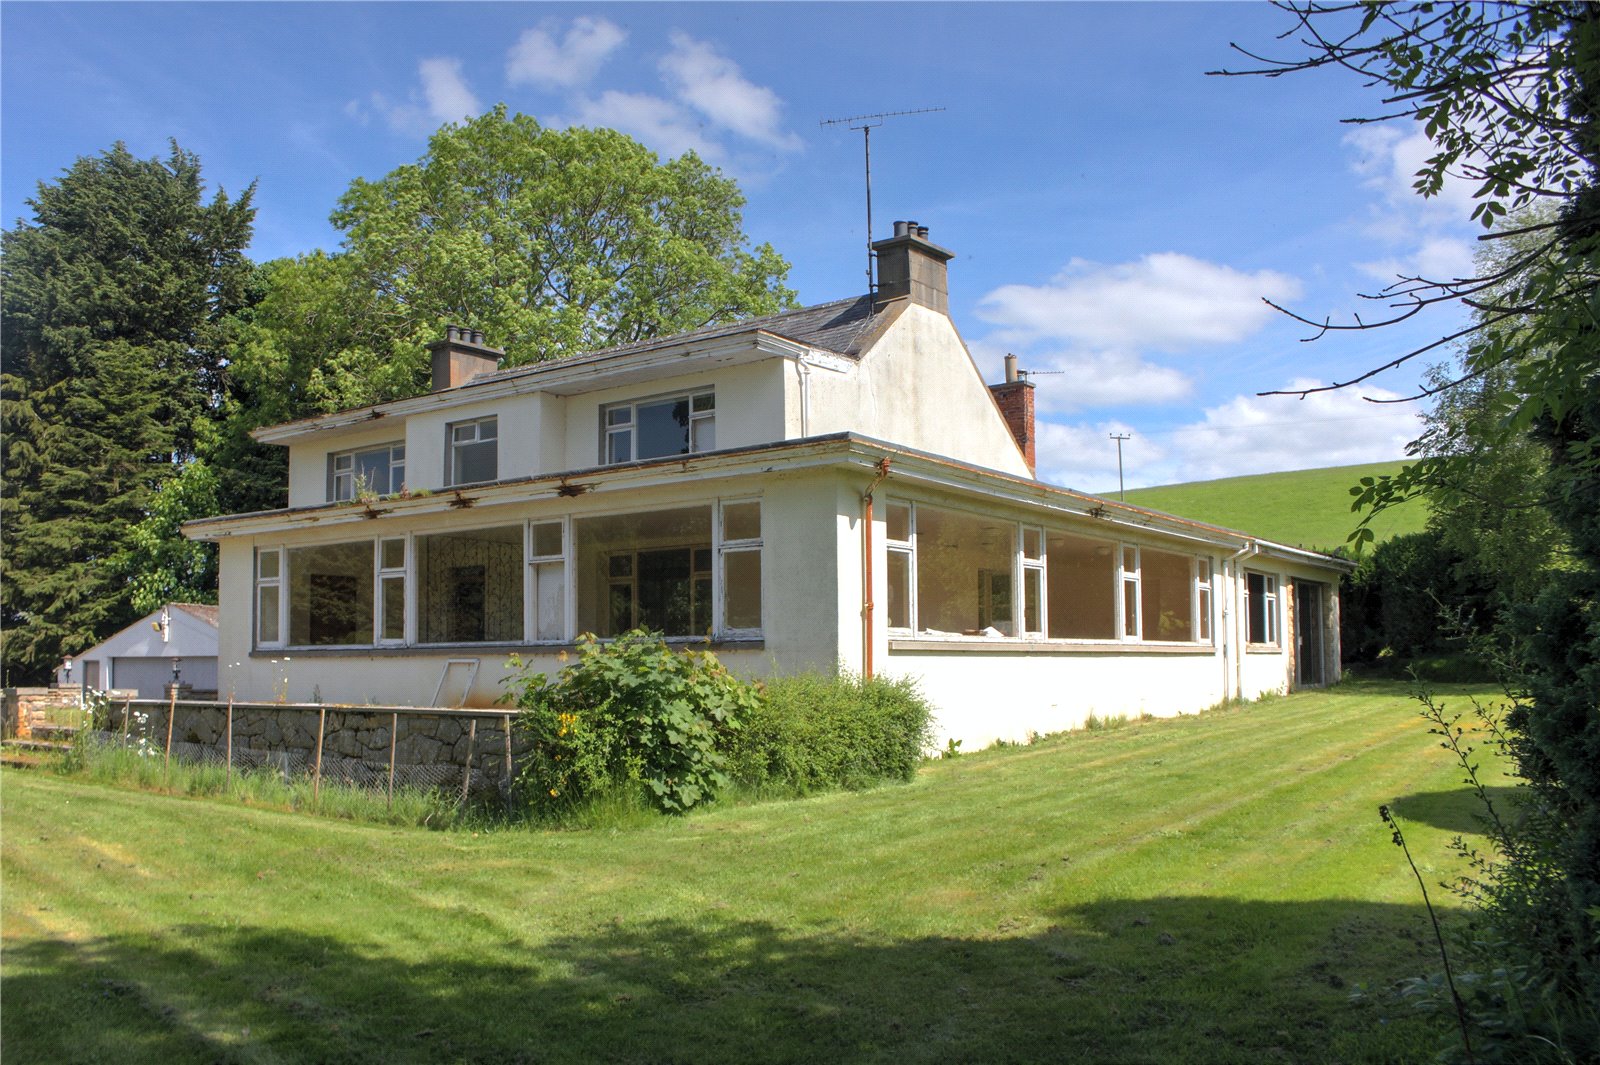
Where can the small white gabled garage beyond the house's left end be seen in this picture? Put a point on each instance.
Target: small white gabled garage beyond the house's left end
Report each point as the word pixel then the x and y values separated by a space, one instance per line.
pixel 143 656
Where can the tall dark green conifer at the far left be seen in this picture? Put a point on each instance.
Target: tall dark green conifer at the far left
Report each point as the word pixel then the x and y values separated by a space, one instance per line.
pixel 113 321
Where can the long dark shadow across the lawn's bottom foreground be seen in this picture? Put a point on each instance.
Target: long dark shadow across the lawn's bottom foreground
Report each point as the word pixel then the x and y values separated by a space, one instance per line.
pixel 1148 981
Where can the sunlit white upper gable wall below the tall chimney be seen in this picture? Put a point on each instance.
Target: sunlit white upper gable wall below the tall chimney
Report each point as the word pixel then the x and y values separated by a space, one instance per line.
pixel 918 388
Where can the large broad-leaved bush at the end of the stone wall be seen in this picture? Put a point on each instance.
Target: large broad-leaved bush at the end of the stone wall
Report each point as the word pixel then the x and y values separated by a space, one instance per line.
pixel 630 716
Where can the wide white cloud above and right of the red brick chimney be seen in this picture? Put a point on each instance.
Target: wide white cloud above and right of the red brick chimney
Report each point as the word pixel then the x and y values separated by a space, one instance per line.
pixel 1166 301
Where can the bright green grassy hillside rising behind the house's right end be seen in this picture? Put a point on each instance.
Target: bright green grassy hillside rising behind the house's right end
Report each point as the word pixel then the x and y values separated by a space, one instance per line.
pixel 1303 508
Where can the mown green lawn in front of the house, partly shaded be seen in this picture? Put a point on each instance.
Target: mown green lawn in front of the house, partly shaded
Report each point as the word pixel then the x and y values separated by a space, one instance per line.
pixel 1201 890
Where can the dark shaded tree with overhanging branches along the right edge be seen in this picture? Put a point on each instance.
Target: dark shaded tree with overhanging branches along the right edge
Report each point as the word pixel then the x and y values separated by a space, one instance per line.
pixel 1508 94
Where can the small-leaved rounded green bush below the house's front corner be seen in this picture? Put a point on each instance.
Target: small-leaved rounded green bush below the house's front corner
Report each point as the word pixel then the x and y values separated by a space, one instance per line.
pixel 818 733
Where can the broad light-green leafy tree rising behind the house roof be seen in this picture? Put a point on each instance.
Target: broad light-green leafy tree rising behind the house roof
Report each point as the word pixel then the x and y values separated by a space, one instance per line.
pixel 548 241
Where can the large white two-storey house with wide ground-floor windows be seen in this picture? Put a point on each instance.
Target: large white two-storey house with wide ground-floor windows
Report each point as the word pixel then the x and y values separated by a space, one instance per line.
pixel 826 487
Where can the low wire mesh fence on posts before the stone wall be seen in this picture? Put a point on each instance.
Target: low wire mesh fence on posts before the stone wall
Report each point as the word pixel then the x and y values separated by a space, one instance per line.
pixel 378 749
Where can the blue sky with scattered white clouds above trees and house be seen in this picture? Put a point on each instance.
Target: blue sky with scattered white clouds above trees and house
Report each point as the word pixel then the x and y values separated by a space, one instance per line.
pixel 1118 217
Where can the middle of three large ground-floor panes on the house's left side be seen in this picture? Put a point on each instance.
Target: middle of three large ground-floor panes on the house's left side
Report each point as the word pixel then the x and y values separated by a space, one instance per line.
pixel 470 586
